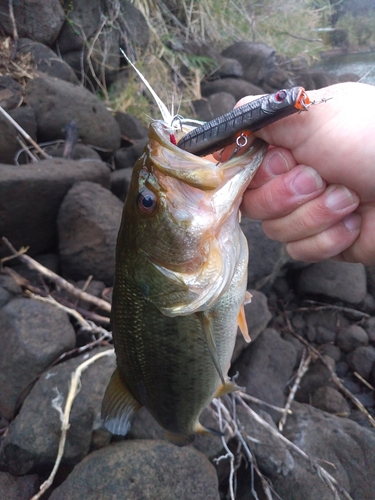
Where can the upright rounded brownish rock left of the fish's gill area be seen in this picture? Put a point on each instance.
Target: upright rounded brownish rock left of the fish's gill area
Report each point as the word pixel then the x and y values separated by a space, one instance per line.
pixel 88 223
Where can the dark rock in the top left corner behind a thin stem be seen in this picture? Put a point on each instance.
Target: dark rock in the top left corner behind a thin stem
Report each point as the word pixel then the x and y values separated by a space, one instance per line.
pixel 40 21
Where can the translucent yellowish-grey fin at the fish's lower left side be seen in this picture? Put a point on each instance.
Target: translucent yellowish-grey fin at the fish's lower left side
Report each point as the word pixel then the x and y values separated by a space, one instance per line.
pixel 119 407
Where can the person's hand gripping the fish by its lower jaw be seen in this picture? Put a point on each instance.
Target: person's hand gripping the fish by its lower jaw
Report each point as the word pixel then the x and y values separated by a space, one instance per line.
pixel 315 191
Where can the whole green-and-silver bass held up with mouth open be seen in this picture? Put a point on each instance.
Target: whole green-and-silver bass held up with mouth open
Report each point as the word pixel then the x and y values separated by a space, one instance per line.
pixel 180 285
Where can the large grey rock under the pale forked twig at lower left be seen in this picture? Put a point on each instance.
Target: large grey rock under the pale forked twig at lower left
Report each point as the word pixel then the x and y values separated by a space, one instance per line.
pixel 32 440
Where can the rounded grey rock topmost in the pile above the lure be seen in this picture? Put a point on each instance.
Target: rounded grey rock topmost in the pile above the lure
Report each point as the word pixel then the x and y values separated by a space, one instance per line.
pixel 257 60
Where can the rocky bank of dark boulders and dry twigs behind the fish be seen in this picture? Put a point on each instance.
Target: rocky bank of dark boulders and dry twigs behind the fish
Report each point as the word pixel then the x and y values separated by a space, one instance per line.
pixel 312 326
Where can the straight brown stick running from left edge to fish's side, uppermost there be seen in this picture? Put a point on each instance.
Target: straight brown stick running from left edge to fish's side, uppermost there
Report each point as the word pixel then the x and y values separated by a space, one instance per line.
pixel 33 264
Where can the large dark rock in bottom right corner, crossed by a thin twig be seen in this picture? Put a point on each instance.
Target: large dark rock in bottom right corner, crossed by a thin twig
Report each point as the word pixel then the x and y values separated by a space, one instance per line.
pixel 332 440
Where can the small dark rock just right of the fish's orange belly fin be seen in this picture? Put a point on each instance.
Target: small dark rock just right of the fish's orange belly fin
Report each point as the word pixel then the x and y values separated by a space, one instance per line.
pixel 257 318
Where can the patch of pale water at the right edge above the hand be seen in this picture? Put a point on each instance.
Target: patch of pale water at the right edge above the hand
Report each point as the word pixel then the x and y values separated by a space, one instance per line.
pixel 362 65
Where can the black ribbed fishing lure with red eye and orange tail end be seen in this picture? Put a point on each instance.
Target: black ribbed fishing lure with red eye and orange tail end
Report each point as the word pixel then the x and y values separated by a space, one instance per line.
pixel 236 125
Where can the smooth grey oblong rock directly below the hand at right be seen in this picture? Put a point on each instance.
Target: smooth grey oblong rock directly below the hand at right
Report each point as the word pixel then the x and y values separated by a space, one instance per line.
pixel 336 280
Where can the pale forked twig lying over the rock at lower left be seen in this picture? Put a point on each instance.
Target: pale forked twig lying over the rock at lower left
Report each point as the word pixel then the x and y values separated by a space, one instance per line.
pixel 64 416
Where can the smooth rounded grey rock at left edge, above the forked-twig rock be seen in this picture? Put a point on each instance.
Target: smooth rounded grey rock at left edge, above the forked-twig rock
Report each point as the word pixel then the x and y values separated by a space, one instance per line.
pixel 33 334
